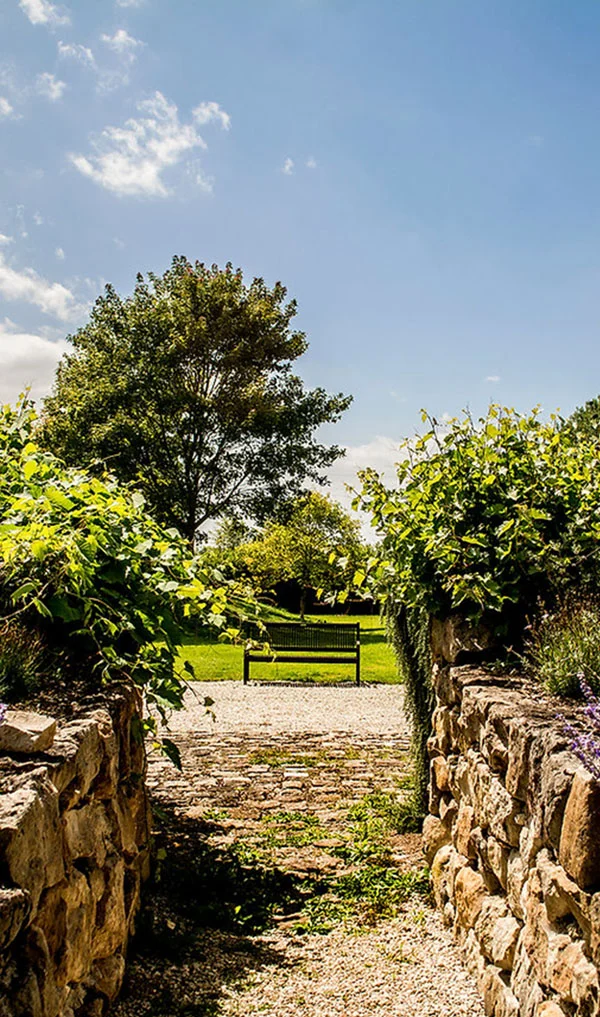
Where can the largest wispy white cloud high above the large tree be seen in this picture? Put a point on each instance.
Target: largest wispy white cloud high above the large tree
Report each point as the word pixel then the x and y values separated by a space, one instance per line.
pixel 131 161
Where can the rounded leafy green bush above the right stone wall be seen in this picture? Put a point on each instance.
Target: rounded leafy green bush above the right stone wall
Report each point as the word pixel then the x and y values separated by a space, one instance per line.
pixel 490 517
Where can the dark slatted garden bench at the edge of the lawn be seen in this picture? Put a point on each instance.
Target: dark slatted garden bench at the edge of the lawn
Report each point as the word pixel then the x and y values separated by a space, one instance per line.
pixel 322 643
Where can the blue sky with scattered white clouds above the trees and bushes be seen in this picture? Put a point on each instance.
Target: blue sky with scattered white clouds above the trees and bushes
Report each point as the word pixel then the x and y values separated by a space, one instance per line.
pixel 423 175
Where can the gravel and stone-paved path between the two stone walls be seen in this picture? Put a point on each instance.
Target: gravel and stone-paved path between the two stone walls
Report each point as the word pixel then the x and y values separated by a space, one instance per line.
pixel 254 832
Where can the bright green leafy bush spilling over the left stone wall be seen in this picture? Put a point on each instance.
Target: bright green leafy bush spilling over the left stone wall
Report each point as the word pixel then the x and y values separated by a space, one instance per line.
pixel 84 564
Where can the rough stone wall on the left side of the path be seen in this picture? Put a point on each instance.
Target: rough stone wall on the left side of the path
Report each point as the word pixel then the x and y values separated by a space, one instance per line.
pixel 75 832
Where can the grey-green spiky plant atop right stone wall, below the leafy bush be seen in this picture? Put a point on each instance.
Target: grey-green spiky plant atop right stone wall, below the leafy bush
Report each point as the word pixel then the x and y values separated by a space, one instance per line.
pixel 565 646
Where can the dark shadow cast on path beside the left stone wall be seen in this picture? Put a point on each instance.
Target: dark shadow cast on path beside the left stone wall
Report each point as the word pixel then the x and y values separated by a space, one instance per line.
pixel 201 911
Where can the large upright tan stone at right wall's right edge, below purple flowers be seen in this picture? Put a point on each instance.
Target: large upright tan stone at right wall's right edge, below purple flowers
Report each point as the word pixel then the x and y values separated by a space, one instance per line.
pixel 579 852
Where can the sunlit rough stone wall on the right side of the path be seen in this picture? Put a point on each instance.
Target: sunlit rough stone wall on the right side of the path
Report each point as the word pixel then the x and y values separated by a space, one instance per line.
pixel 514 844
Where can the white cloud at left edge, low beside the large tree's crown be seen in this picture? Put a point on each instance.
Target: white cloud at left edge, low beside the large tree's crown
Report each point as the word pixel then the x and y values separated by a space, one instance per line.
pixel 27 361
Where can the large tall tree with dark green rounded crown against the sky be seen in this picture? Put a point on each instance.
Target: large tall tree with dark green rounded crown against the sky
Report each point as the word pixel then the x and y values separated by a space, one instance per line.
pixel 187 388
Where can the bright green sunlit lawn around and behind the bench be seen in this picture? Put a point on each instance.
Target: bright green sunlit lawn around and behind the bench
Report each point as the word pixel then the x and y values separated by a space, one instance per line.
pixel 214 662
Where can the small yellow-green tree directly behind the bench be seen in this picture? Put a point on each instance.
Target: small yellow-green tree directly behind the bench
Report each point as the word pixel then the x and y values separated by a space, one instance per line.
pixel 308 549
